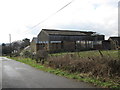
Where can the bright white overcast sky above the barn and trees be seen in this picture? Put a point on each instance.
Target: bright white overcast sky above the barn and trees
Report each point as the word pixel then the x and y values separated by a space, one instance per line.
pixel 17 17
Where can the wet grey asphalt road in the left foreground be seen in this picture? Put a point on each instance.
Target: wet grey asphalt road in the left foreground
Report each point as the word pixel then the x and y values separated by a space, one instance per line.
pixel 19 75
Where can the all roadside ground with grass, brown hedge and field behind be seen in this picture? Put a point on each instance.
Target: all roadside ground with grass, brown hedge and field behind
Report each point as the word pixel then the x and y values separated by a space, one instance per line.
pixel 98 67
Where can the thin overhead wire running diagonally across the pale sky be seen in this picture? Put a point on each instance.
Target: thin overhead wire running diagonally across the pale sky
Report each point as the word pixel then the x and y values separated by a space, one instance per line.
pixel 53 14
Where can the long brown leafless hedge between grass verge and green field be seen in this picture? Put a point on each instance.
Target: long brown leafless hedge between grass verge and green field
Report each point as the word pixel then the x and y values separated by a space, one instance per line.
pixel 95 66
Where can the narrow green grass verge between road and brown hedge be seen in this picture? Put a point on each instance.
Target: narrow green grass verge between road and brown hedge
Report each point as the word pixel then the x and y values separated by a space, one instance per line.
pixel 76 76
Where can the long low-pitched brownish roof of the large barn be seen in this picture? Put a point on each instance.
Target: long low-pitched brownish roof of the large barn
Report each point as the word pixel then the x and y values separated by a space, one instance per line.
pixel 66 32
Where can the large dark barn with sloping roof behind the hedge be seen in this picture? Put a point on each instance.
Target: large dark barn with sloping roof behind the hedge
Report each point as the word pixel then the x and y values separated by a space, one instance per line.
pixel 67 40
